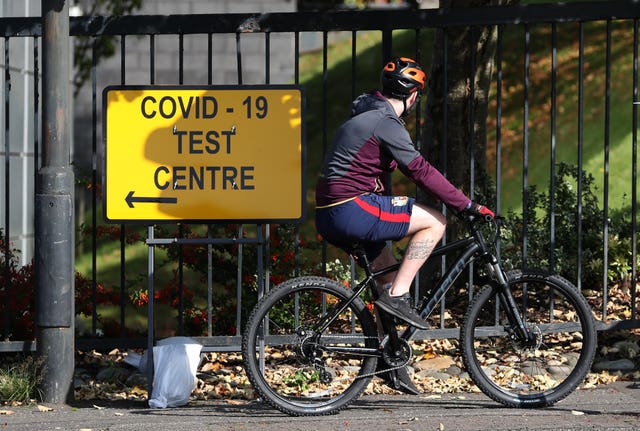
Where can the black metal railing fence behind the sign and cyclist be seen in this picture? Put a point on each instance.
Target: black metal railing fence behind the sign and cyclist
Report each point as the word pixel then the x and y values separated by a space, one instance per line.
pixel 521 25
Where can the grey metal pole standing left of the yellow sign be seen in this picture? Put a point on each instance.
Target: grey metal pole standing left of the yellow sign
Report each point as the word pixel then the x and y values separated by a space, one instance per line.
pixel 54 212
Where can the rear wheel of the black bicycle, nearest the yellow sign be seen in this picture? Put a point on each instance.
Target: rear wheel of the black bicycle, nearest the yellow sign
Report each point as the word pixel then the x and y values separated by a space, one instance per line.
pixel 300 368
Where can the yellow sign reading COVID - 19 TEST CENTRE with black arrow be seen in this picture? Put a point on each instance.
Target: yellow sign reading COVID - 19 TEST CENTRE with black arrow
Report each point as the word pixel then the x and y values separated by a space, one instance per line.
pixel 203 153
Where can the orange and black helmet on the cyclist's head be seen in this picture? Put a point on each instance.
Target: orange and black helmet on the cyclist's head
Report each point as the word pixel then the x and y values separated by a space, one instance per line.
pixel 402 76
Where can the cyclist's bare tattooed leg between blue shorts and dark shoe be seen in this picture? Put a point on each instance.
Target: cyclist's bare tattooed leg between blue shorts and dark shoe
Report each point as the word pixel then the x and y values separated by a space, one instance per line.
pixel 427 226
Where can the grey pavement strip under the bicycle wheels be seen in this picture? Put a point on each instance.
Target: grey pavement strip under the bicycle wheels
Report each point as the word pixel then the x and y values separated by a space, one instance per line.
pixel 615 406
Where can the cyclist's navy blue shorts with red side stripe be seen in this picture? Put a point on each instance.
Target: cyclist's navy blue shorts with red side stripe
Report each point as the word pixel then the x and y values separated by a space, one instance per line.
pixel 369 220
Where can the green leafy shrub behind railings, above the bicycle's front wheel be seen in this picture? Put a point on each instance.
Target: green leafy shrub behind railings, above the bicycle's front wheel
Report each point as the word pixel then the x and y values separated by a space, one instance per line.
pixel 531 245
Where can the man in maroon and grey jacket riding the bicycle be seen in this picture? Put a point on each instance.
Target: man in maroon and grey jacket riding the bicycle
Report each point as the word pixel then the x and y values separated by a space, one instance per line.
pixel 350 202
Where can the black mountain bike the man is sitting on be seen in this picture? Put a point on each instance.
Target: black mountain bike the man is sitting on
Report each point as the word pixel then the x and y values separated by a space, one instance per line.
pixel 527 338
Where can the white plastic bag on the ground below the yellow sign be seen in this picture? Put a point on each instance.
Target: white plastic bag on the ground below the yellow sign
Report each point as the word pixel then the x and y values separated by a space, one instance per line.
pixel 175 363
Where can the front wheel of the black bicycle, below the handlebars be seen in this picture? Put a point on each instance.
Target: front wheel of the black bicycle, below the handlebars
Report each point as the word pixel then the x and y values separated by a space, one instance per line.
pixel 540 372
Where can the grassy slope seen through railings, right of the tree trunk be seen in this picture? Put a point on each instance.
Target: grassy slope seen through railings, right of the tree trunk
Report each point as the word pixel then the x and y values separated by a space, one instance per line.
pixel 568 130
